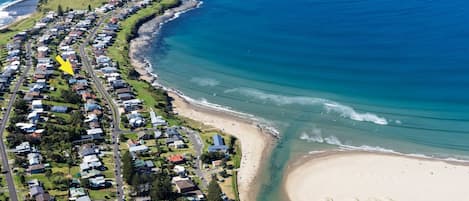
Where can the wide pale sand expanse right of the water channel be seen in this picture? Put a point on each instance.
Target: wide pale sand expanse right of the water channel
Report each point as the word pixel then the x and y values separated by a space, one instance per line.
pixel 373 176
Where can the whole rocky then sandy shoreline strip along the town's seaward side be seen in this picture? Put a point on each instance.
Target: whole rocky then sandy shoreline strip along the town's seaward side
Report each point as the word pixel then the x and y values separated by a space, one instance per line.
pixel 256 139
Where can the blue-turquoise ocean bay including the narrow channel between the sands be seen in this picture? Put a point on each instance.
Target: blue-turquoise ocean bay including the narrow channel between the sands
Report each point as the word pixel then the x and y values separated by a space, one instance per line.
pixel 359 74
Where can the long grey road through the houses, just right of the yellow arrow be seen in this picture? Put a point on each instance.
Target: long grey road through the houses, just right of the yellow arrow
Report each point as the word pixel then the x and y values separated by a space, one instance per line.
pixel 110 101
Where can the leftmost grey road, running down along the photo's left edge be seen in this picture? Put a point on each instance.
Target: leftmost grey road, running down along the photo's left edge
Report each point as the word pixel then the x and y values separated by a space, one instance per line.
pixel 3 154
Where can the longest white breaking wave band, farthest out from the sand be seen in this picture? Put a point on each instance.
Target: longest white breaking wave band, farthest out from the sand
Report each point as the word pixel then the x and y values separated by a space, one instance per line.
pixel 330 106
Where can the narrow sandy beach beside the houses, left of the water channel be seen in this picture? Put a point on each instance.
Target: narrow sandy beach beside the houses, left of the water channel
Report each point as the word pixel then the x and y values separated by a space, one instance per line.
pixel 255 142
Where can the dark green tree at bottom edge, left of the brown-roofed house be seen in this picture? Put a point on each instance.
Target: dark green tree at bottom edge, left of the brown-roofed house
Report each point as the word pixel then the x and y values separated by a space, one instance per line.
pixel 161 188
